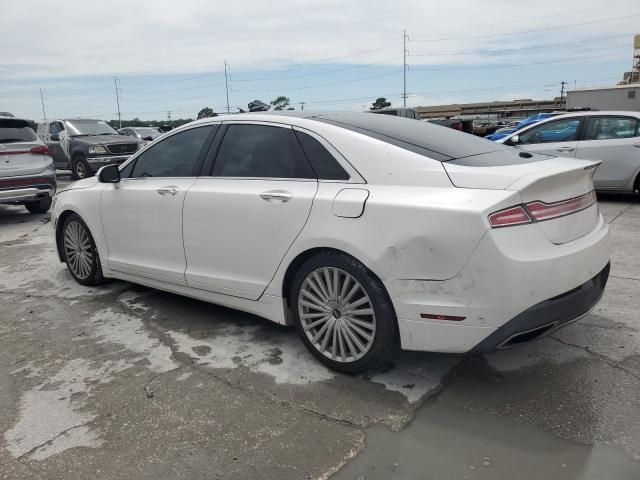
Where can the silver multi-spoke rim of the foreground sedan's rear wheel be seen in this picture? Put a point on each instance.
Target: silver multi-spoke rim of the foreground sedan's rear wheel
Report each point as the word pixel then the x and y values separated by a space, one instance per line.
pixel 336 314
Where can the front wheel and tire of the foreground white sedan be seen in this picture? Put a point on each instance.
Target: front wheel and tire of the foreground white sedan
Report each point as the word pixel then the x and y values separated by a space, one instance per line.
pixel 80 252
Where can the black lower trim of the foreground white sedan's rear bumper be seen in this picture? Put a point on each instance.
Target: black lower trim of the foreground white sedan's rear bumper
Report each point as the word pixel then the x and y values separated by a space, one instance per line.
pixel 547 316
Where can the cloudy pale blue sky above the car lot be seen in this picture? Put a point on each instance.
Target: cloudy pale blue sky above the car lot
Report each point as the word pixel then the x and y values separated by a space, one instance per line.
pixel 339 55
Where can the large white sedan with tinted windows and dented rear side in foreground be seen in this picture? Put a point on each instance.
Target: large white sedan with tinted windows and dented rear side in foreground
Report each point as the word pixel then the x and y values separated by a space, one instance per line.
pixel 366 232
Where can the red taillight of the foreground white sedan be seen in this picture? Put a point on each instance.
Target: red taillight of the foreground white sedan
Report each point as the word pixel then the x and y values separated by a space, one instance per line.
pixel 538 211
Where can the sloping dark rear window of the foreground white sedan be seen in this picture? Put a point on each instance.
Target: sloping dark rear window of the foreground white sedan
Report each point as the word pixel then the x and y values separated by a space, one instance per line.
pixel 440 143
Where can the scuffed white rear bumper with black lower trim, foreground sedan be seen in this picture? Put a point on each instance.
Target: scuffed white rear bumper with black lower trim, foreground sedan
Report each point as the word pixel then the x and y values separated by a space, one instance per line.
pixel 513 270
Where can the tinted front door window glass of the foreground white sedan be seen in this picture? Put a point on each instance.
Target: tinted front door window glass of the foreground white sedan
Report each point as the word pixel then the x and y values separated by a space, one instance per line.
pixel 175 156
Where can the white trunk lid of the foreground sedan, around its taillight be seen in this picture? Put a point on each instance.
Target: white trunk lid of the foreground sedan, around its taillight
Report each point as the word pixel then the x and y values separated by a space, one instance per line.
pixel 547 180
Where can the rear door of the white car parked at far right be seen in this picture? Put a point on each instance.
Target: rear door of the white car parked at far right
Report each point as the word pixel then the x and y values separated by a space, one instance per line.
pixel 615 140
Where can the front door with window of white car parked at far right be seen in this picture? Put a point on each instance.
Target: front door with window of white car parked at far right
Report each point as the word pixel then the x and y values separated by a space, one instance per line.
pixel 556 137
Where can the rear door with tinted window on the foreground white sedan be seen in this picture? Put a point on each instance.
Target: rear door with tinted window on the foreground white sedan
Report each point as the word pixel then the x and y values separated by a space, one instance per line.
pixel 240 221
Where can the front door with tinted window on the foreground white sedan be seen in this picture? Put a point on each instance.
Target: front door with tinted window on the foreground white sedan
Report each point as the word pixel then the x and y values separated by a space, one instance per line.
pixel 142 215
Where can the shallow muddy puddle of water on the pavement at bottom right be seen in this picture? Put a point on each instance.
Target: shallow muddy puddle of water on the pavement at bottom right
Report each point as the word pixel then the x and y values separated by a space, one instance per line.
pixel 448 442
